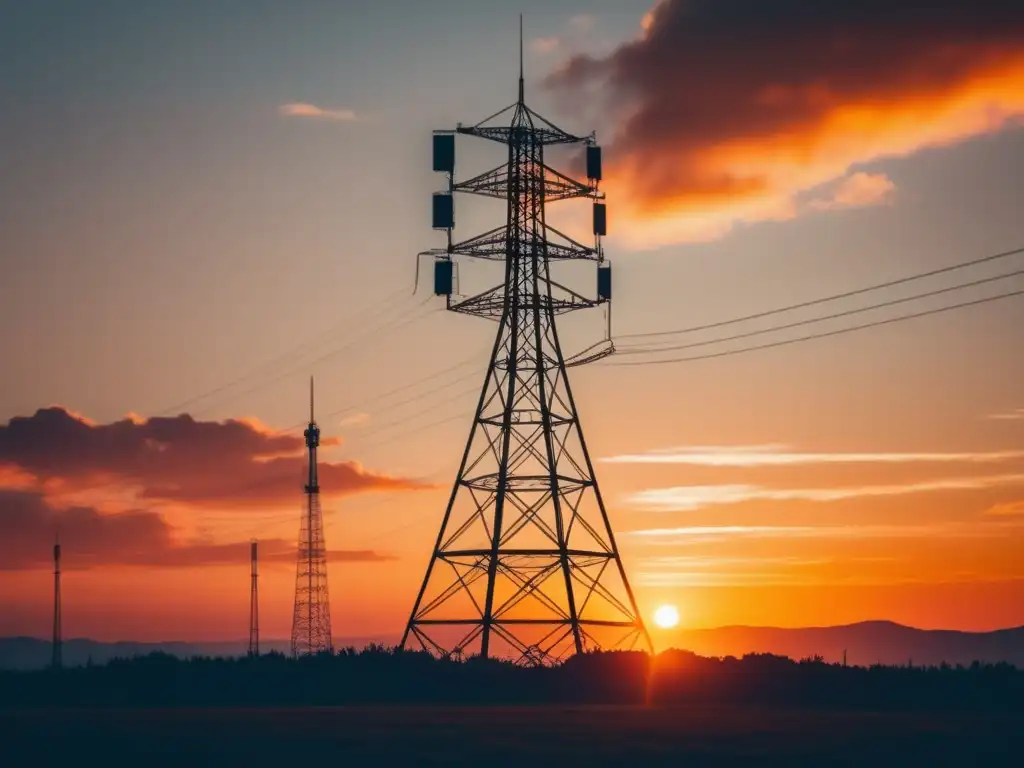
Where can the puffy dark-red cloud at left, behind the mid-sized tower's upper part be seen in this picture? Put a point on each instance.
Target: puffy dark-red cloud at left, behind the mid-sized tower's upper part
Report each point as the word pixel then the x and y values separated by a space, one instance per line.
pixel 235 463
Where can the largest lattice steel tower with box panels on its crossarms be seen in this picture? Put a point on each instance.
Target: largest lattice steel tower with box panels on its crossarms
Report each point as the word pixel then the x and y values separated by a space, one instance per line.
pixel 526 566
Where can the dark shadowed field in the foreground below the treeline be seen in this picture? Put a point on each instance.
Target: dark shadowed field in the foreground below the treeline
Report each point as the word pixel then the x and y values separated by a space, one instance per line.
pixel 524 737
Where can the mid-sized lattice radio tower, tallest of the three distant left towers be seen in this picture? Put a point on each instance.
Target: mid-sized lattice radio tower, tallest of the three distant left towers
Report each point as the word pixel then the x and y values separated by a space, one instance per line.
pixel 312 621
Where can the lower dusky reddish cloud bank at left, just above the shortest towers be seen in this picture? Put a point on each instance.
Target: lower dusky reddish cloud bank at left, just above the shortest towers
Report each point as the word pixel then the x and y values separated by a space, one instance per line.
pixel 90 539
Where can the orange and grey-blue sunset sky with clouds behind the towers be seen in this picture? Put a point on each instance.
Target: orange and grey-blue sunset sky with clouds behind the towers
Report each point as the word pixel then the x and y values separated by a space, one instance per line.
pixel 202 204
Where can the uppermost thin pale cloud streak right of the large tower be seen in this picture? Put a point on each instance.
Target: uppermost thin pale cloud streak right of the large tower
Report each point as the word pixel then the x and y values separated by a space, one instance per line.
pixel 779 456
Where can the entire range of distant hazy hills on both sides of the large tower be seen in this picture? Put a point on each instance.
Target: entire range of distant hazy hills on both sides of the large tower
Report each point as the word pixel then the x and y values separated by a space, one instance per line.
pixel 865 644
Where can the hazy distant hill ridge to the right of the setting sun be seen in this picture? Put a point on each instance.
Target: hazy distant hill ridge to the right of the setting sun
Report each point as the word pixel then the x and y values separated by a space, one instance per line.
pixel 865 644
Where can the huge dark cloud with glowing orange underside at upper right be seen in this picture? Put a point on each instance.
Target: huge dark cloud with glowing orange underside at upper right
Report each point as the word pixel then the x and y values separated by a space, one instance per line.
pixel 728 112
